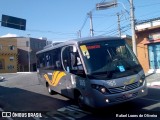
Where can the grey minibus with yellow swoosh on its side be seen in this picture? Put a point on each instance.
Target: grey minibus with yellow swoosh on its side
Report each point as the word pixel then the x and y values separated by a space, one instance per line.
pixel 96 71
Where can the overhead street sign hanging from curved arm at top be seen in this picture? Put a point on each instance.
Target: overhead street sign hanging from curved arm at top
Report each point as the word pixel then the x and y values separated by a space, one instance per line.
pixel 105 5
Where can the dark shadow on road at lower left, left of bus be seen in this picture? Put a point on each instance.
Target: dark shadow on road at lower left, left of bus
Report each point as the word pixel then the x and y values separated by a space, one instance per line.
pixel 15 99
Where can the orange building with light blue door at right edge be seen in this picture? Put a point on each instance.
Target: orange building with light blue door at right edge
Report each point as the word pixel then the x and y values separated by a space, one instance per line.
pixel 148 44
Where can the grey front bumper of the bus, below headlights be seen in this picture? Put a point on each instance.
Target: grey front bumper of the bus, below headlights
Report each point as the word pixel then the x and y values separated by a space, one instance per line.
pixel 101 100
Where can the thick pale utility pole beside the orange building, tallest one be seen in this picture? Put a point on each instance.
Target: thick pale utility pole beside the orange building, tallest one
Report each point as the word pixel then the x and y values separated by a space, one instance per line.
pixel 133 27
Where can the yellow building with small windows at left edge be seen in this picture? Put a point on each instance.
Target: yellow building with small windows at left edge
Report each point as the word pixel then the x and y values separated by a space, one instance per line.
pixel 8 55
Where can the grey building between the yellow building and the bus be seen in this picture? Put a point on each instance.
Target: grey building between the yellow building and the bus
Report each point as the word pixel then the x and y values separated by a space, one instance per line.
pixel 27 48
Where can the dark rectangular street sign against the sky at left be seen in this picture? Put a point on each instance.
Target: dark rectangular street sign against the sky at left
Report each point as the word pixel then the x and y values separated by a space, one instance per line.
pixel 13 22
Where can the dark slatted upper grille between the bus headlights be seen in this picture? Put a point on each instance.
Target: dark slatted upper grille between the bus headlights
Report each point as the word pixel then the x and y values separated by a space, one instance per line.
pixel 123 88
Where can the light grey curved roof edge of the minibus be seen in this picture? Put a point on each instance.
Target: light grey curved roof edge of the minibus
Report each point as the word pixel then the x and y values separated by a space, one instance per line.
pixel 77 41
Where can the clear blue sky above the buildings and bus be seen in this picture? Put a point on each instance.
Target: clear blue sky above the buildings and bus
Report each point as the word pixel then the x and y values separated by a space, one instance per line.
pixel 59 20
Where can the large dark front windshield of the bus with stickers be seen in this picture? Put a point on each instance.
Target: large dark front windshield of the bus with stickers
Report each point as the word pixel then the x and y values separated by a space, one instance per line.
pixel 109 59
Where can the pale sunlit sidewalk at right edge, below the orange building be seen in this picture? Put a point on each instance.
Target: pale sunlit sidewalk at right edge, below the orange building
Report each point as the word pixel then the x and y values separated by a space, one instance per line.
pixel 153 79
